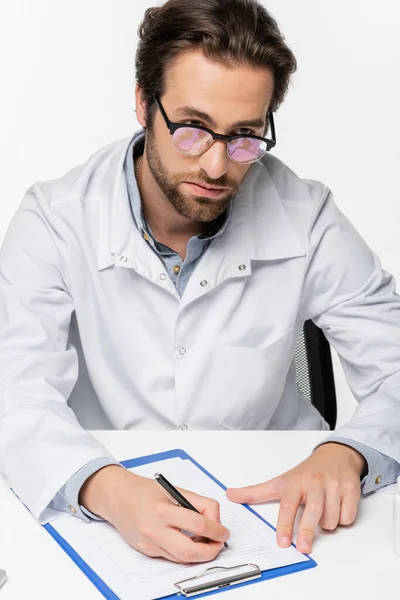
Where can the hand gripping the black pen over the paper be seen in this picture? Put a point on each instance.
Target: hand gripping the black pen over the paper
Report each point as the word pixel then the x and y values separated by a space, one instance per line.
pixel 149 521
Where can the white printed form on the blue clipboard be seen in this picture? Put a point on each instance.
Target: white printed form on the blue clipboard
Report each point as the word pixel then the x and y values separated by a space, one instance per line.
pixel 131 574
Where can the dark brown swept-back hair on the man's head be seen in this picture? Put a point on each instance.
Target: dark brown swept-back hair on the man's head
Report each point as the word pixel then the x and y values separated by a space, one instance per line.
pixel 229 32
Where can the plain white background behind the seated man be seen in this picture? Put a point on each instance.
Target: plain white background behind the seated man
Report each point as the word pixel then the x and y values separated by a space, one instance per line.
pixel 67 88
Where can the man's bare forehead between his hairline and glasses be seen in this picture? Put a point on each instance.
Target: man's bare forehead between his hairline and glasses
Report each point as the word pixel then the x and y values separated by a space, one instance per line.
pixel 225 92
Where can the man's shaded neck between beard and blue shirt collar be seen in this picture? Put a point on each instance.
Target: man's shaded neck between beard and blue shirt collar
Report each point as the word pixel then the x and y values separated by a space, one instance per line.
pixel 168 226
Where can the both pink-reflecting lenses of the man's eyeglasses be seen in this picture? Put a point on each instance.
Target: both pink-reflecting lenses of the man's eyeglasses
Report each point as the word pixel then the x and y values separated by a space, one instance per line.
pixel 190 140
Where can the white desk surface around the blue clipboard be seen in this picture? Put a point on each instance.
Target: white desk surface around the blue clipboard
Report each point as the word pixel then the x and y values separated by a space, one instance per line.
pixel 355 562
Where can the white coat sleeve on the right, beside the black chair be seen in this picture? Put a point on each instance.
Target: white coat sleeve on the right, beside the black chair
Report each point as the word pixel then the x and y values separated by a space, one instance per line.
pixel 353 300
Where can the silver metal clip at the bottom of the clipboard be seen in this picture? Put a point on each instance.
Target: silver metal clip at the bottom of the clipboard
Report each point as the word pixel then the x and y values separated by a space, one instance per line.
pixel 206 581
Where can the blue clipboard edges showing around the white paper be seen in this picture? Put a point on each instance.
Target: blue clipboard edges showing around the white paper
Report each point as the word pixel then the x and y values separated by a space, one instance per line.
pixel 177 453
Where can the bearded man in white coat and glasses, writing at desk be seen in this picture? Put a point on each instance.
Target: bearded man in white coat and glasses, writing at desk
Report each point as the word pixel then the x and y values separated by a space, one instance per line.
pixel 164 284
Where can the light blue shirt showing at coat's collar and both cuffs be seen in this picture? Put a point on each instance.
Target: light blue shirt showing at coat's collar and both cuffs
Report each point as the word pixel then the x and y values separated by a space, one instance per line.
pixel 382 470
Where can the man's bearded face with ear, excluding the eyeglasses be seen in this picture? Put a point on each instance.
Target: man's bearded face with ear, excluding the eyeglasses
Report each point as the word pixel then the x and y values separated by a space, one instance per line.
pixel 227 97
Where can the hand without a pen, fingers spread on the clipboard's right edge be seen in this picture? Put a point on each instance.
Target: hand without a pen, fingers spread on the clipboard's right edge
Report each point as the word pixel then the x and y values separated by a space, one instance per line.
pixel 328 483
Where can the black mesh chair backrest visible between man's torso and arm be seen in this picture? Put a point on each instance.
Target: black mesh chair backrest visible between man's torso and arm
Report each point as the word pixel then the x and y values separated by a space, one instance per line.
pixel 314 371
